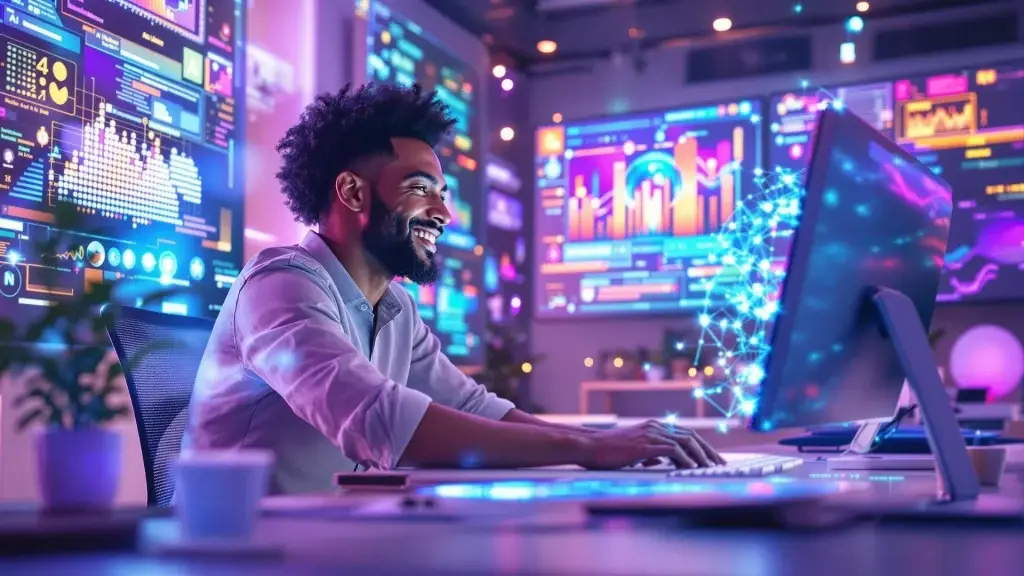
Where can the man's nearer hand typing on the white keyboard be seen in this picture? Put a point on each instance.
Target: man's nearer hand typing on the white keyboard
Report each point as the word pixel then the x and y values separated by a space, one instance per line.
pixel 628 446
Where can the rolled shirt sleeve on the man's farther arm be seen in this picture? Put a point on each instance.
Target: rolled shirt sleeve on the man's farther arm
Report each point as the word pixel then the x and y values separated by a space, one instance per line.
pixel 435 375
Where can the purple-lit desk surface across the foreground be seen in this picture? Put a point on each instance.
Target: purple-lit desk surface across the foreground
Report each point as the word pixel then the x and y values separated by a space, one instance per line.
pixel 318 534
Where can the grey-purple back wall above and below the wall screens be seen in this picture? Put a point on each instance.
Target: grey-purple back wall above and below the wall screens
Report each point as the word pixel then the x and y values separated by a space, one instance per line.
pixel 612 88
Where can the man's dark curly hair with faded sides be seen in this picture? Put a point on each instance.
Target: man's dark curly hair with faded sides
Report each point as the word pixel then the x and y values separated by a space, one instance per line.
pixel 336 130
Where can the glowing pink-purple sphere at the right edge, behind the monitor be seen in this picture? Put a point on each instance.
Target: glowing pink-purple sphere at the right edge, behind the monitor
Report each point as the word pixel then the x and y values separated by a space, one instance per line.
pixel 988 357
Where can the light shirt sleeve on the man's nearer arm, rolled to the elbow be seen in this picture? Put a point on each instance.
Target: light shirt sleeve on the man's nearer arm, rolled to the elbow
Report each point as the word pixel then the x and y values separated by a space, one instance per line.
pixel 288 332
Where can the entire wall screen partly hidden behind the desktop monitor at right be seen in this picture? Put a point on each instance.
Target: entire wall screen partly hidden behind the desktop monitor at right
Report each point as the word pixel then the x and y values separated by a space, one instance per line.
pixel 968 128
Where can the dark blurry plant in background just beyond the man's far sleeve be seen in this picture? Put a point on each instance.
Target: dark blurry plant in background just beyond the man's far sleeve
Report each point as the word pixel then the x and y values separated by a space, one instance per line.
pixel 507 363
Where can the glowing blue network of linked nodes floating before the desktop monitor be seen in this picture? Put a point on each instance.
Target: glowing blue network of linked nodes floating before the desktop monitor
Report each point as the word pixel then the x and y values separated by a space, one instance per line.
pixel 743 297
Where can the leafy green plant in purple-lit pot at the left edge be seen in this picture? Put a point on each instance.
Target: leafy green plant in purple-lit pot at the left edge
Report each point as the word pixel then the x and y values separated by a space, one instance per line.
pixel 69 381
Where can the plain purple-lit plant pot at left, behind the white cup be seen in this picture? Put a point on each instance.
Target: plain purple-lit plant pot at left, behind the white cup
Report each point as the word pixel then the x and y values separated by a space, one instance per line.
pixel 78 470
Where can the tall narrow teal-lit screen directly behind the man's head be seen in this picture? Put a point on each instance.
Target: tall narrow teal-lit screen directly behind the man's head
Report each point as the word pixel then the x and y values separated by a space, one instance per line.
pixel 403 53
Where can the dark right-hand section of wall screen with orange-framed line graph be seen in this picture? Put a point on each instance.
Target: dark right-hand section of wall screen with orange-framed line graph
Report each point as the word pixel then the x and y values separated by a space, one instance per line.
pixel 969 128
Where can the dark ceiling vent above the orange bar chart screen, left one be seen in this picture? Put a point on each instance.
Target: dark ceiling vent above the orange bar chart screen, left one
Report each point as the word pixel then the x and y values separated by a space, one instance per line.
pixel 758 58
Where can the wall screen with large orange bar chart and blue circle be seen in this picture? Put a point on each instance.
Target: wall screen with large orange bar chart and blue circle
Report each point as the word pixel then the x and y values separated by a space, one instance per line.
pixel 628 208
